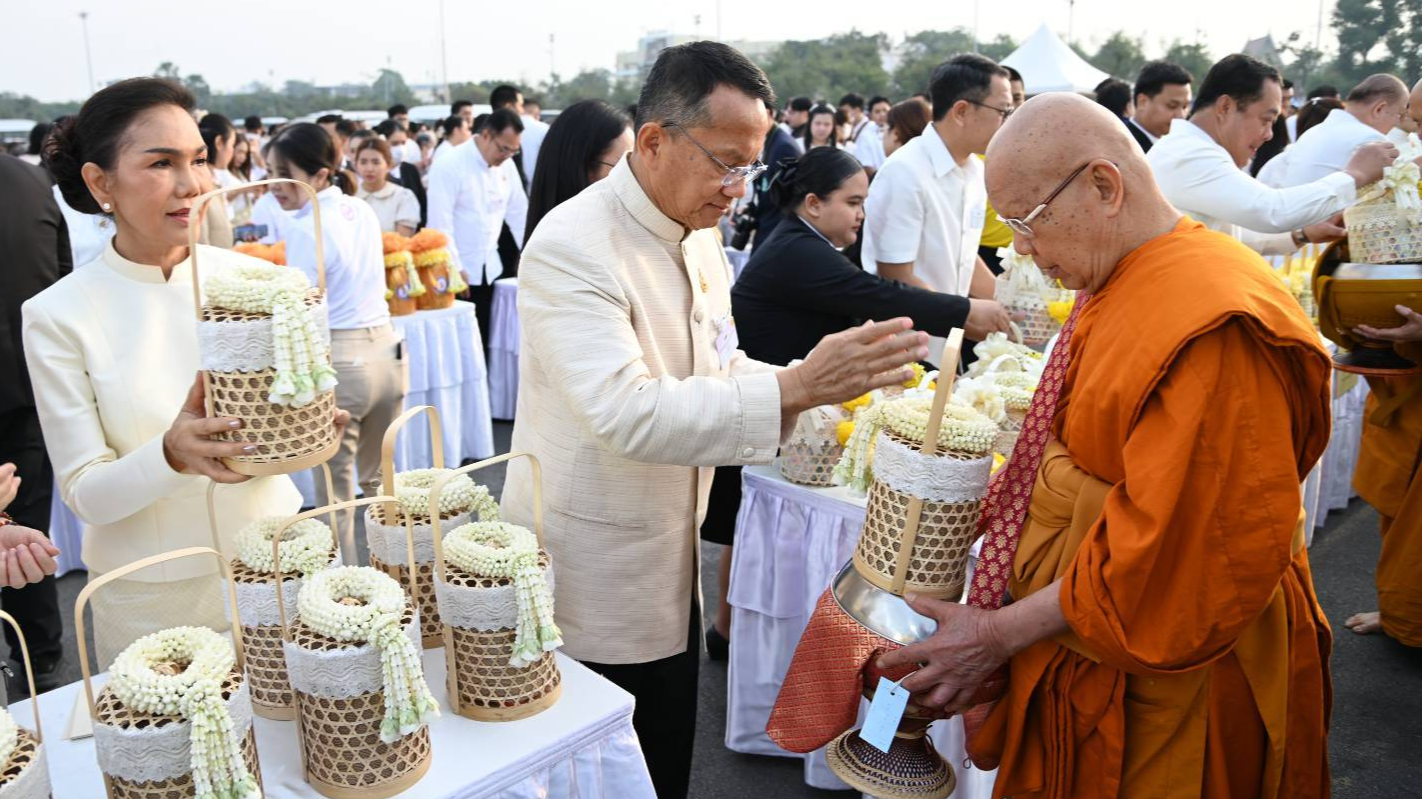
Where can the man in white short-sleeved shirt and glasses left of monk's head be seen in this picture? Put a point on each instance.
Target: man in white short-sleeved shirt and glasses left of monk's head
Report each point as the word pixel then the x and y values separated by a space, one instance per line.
pixel 924 217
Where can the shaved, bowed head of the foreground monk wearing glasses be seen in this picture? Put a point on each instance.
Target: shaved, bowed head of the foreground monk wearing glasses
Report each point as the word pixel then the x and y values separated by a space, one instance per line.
pixel 1111 208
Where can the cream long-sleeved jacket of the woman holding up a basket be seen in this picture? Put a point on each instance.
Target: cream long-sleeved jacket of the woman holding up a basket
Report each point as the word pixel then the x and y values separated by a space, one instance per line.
pixel 113 352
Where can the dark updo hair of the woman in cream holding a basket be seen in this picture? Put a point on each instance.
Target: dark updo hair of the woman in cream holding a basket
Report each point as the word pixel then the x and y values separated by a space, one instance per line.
pixel 97 133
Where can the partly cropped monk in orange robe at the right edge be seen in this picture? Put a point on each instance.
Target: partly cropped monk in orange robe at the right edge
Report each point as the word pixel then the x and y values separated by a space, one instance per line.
pixel 1390 478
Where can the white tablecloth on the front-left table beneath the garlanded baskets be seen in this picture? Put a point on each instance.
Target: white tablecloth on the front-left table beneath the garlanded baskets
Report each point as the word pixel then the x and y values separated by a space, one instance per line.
pixel 584 747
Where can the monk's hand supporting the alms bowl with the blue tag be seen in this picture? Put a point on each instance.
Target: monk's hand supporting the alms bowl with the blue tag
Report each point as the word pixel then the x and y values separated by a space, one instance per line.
pixel 968 648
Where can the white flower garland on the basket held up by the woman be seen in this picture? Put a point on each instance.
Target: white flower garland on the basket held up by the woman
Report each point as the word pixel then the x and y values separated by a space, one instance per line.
pixel 302 359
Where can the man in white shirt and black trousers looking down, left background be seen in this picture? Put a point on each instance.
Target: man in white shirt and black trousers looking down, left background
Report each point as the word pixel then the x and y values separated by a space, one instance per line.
pixel 473 193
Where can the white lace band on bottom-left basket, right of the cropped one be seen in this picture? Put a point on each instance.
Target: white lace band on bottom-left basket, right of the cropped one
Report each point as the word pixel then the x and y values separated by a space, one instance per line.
pixel 151 754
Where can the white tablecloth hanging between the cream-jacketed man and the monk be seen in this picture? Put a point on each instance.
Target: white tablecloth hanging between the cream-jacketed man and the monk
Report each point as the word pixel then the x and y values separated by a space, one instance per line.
pixel 790 544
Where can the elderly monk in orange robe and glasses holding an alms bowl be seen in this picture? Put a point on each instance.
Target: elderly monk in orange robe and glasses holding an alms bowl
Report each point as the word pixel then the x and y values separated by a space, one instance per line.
pixel 1164 638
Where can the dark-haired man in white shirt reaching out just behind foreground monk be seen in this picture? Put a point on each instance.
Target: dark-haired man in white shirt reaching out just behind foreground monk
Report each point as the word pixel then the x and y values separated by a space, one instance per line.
pixel 1201 166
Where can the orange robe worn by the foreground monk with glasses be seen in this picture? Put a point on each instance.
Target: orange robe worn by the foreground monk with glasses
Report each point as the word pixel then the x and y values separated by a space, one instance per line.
pixel 1197 402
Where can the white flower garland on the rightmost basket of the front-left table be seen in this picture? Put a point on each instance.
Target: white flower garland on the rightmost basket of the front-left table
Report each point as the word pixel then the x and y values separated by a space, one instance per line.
pixel 494 549
